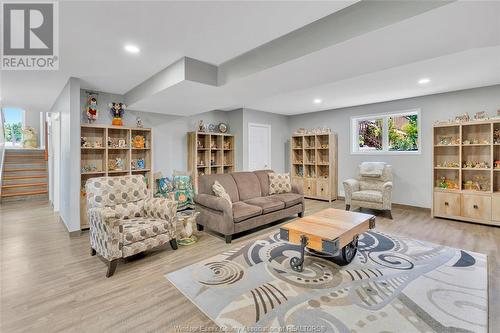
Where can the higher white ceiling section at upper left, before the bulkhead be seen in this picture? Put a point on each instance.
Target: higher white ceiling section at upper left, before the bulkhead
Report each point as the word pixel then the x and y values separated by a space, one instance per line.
pixel 93 33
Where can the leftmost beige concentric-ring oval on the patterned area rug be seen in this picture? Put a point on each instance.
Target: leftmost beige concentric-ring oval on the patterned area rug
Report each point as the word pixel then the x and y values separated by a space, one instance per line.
pixel 219 273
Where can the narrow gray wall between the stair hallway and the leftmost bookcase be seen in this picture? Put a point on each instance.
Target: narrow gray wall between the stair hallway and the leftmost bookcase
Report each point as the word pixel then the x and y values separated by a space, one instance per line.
pixel 68 105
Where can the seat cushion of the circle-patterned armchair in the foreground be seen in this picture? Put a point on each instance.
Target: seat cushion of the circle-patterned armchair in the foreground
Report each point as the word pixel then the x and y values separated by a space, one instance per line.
pixel 138 229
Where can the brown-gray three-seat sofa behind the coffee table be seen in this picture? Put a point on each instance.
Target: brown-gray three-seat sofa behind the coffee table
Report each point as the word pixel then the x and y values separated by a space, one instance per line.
pixel 252 206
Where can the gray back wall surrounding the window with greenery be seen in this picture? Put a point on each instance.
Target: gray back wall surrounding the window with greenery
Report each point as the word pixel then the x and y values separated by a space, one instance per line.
pixel 412 173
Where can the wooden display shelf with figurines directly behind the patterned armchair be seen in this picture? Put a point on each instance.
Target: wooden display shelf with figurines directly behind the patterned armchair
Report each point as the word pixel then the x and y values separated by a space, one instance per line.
pixel 113 151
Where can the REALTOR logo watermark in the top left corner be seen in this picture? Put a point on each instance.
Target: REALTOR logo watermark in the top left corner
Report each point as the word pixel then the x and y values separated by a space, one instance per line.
pixel 30 37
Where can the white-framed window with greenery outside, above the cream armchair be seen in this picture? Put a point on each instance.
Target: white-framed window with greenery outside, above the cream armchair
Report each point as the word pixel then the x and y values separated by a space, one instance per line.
pixel 386 133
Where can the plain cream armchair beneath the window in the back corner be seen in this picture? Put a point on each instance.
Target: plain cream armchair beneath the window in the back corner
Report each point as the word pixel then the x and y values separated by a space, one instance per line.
pixel 372 189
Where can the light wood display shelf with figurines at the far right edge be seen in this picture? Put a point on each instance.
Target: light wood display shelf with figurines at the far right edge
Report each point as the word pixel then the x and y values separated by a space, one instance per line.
pixel 467 191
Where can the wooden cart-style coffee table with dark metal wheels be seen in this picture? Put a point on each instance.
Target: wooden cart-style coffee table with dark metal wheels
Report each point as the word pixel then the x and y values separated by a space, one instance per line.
pixel 331 232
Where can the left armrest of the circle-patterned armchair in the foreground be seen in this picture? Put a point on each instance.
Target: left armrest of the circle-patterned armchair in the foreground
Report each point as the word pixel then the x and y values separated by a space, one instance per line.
pixel 105 232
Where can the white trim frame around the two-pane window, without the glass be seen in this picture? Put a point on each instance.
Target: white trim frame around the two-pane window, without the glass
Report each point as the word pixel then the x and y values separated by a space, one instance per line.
pixel 385 134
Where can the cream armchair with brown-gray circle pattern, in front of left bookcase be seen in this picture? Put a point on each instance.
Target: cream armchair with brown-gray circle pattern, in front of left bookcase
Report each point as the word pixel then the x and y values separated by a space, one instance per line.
pixel 124 219
